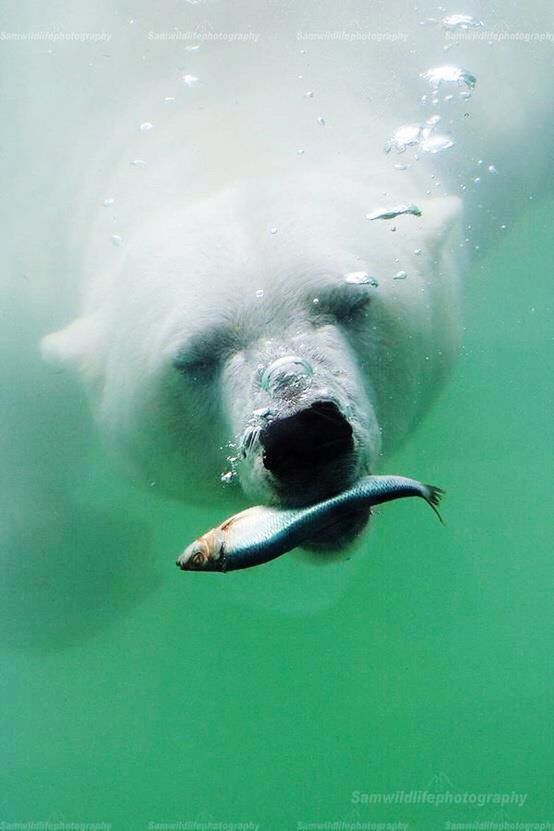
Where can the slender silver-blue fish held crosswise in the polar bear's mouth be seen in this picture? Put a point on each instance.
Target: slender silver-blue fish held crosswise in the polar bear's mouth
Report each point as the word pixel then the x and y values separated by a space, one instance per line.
pixel 261 533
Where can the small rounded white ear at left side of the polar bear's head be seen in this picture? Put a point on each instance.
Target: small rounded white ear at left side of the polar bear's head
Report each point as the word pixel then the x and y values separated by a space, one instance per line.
pixel 74 347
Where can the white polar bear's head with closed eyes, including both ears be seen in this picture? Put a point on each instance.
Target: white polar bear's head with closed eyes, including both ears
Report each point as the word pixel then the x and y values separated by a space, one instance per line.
pixel 271 333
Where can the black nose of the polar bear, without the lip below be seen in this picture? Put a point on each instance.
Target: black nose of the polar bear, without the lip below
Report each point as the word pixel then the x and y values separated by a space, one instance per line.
pixel 309 442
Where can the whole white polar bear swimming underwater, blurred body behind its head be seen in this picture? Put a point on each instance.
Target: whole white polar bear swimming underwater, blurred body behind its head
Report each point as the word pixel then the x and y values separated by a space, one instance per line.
pixel 197 251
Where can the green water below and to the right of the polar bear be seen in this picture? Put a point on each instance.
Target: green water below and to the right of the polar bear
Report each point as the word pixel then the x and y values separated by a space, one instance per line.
pixel 143 695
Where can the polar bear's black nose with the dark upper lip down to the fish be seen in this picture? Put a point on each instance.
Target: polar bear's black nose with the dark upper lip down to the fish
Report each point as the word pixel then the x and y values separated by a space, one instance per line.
pixel 310 453
